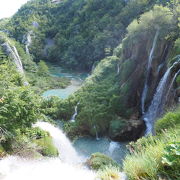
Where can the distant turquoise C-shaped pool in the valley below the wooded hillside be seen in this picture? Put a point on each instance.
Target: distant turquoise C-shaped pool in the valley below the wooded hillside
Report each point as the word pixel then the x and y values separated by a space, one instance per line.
pixel 76 82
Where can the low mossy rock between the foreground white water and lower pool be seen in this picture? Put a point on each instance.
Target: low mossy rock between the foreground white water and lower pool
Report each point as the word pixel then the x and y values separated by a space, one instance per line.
pixel 99 161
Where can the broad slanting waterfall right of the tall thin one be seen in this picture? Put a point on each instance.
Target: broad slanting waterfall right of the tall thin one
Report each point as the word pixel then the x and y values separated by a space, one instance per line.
pixel 156 105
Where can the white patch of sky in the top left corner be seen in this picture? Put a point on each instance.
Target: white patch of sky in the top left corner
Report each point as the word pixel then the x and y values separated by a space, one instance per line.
pixel 9 7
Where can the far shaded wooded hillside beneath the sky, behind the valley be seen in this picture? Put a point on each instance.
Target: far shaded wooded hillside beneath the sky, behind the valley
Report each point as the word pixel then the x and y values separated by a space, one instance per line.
pixel 82 32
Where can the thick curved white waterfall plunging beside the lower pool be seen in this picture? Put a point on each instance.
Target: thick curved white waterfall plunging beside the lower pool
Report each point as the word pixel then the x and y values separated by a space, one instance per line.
pixel 62 143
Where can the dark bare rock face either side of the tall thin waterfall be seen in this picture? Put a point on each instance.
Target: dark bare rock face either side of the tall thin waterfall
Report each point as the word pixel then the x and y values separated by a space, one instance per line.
pixel 137 54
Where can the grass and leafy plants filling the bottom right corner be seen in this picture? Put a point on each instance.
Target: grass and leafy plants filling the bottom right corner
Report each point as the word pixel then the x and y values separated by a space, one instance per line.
pixel 156 157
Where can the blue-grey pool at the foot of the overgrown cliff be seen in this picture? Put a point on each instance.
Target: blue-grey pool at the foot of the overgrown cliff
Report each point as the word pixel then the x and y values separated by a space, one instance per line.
pixel 85 146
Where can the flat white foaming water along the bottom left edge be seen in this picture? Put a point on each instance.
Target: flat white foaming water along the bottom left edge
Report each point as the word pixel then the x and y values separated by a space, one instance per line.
pixel 14 168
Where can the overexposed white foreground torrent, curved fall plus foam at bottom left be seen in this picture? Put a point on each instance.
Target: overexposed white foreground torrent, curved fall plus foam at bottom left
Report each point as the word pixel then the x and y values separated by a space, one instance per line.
pixel 63 167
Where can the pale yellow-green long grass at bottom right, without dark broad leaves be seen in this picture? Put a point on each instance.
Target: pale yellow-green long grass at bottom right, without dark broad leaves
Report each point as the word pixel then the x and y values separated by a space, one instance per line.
pixel 145 160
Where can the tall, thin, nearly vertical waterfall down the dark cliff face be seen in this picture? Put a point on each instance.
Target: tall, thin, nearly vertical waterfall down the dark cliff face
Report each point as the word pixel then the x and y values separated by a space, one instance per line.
pixel 144 93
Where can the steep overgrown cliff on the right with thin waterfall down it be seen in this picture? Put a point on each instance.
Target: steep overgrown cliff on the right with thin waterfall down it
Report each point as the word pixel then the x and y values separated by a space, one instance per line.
pixel 111 99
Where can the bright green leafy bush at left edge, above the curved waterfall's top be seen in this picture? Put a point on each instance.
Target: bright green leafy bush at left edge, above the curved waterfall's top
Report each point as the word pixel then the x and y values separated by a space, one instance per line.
pixel 19 108
